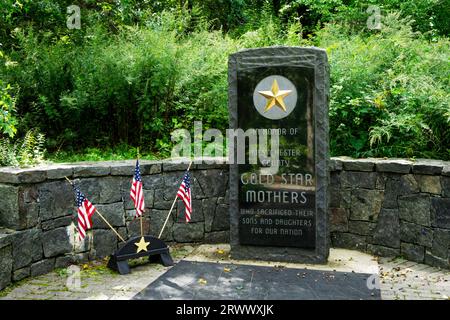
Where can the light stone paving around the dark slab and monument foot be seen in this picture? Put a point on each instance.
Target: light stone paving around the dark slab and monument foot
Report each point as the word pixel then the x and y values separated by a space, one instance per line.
pixel 399 278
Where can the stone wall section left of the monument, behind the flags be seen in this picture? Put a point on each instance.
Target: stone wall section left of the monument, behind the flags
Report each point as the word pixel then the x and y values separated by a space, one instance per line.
pixel 38 213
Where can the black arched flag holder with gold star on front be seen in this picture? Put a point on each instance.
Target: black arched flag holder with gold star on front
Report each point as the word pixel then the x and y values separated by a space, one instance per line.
pixel 147 246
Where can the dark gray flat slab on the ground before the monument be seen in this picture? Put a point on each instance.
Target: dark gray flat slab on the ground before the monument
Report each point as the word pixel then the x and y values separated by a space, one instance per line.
pixel 190 280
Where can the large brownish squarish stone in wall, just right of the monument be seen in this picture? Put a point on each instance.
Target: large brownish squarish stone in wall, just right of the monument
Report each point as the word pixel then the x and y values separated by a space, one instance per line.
pixel 366 204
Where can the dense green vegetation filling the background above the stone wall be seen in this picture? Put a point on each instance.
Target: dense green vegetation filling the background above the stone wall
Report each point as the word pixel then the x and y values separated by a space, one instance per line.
pixel 136 70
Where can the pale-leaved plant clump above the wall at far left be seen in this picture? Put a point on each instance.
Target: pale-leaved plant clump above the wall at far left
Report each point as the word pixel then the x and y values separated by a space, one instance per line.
pixel 27 151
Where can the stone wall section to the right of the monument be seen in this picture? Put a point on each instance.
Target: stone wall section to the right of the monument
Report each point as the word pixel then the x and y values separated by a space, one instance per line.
pixel 392 208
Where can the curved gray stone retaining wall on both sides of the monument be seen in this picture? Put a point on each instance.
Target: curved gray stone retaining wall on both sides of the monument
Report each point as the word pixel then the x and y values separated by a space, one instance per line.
pixel 386 207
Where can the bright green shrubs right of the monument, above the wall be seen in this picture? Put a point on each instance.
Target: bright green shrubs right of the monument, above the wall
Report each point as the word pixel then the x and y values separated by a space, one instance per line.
pixel 389 94
